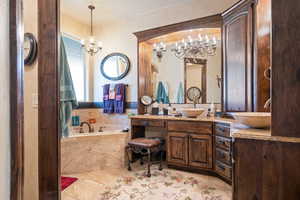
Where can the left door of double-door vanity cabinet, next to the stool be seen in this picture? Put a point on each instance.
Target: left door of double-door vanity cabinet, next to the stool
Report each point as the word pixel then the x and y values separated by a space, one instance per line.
pixel 177 148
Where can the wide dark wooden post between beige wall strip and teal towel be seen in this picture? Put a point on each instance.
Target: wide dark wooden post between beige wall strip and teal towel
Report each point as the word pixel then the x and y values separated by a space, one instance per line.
pixel 48 81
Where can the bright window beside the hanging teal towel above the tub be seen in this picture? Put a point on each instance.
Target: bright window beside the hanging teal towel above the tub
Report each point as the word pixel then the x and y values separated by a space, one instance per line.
pixel 76 60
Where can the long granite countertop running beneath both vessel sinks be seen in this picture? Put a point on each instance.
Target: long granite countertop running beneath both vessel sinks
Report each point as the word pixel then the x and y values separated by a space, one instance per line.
pixel 236 130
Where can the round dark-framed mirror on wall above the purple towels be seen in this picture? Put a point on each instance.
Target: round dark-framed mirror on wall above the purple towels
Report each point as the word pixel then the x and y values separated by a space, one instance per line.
pixel 115 66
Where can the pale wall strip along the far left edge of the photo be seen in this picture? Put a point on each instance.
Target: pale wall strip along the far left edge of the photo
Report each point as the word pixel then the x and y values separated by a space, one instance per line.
pixel 4 103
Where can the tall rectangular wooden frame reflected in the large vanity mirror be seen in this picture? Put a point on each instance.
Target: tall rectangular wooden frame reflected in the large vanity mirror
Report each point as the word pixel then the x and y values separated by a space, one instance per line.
pixel 203 88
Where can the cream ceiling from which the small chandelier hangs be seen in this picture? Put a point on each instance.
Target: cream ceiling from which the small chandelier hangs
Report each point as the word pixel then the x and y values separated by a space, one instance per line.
pixel 108 11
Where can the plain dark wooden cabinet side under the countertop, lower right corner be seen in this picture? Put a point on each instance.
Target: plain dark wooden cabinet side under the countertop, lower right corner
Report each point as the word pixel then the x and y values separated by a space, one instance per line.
pixel 266 170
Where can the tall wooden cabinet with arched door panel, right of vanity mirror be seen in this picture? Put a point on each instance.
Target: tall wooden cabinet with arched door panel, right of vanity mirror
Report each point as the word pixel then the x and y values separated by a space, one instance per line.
pixel 246 56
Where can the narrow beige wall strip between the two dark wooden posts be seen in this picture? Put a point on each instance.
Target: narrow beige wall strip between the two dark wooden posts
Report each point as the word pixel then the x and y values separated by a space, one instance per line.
pixel 30 111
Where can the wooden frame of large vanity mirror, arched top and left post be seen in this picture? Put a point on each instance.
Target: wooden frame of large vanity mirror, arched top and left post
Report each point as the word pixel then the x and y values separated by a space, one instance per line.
pixel 145 49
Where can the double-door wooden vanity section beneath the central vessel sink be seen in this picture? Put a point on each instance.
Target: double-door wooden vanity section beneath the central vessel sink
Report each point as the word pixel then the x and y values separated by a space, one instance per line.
pixel 190 144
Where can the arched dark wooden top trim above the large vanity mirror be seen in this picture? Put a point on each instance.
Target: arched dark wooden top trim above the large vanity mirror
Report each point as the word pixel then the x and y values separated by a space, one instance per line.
pixel 213 21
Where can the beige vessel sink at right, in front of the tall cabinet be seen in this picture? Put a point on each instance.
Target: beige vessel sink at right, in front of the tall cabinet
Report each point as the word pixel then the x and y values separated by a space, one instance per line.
pixel 253 119
